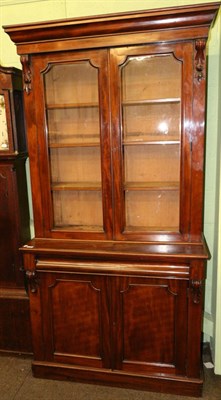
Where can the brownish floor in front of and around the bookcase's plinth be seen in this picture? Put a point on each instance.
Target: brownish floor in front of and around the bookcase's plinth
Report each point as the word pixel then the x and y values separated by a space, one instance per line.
pixel 17 383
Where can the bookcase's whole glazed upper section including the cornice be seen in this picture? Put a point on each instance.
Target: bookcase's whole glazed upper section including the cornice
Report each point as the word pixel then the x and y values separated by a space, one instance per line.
pixel 115 110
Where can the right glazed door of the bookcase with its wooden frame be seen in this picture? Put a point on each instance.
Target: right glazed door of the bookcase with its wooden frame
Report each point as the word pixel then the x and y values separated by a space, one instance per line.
pixel 149 114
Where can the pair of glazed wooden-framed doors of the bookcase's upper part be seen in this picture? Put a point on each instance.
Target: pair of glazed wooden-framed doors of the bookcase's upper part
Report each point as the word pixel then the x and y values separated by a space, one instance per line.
pixel 115 143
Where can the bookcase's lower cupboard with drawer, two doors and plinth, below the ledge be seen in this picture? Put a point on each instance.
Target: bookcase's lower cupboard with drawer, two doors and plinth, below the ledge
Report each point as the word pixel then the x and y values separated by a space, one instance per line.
pixel 112 324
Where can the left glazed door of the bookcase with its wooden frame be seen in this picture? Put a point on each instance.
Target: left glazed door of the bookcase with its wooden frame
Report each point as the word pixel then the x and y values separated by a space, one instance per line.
pixel 73 134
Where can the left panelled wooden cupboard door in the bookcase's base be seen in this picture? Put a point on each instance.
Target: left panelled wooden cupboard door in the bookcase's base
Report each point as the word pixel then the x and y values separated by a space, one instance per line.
pixel 74 319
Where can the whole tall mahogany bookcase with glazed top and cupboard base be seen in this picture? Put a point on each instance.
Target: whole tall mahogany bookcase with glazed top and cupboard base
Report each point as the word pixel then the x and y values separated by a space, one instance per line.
pixel 115 109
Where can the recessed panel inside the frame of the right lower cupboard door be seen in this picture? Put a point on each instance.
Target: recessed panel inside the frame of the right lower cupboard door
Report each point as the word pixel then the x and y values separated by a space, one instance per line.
pixel 149 324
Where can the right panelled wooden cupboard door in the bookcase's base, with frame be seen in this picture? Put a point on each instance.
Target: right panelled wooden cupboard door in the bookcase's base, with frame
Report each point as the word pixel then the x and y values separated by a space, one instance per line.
pixel 151 325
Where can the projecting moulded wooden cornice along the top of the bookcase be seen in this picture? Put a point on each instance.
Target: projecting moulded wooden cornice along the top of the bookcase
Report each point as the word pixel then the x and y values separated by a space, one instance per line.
pixel 151 20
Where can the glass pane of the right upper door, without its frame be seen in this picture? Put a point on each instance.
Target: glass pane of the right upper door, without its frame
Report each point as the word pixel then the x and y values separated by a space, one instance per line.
pixel 151 113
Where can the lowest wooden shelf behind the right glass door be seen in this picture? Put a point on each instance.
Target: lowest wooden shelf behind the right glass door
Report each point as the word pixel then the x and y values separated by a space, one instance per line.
pixel 150 186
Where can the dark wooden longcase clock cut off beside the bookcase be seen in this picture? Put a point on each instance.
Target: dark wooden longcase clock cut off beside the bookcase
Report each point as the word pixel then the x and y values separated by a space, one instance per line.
pixel 14 216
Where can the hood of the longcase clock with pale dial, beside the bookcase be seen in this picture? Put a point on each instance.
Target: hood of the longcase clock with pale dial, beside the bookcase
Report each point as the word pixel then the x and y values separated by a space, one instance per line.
pixel 12 129
